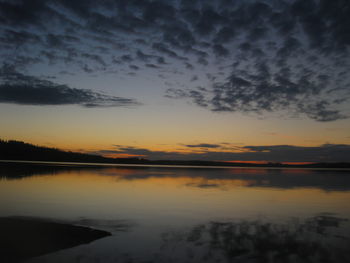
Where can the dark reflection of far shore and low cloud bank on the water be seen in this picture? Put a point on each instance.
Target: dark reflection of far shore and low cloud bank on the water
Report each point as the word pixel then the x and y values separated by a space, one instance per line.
pixel 329 180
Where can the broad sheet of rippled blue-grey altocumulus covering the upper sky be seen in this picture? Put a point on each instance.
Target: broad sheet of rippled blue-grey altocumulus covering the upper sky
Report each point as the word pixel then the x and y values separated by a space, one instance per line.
pixel 263 56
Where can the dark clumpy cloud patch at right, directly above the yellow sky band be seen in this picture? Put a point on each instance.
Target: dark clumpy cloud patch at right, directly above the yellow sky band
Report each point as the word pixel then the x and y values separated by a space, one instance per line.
pixel 263 92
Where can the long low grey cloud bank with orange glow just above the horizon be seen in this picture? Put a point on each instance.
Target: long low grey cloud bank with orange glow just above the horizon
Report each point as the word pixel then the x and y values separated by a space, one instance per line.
pixel 225 152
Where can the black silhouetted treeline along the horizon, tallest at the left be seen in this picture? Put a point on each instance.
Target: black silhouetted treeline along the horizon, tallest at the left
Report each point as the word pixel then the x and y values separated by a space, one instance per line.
pixel 17 150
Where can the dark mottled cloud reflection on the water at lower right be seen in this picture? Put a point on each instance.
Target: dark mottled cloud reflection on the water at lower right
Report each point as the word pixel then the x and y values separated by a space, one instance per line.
pixel 312 240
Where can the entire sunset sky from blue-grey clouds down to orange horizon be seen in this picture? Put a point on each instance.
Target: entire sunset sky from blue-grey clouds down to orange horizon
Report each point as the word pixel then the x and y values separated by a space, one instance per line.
pixel 228 80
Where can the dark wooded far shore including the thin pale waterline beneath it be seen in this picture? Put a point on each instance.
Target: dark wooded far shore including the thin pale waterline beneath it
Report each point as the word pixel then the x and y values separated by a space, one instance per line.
pixel 17 151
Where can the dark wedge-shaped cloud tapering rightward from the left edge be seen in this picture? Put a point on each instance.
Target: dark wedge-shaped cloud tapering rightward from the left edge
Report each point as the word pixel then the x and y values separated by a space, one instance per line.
pixel 18 88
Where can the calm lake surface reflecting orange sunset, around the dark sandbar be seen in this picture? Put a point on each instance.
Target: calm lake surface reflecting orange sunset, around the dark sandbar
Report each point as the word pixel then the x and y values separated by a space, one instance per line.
pixel 188 215
